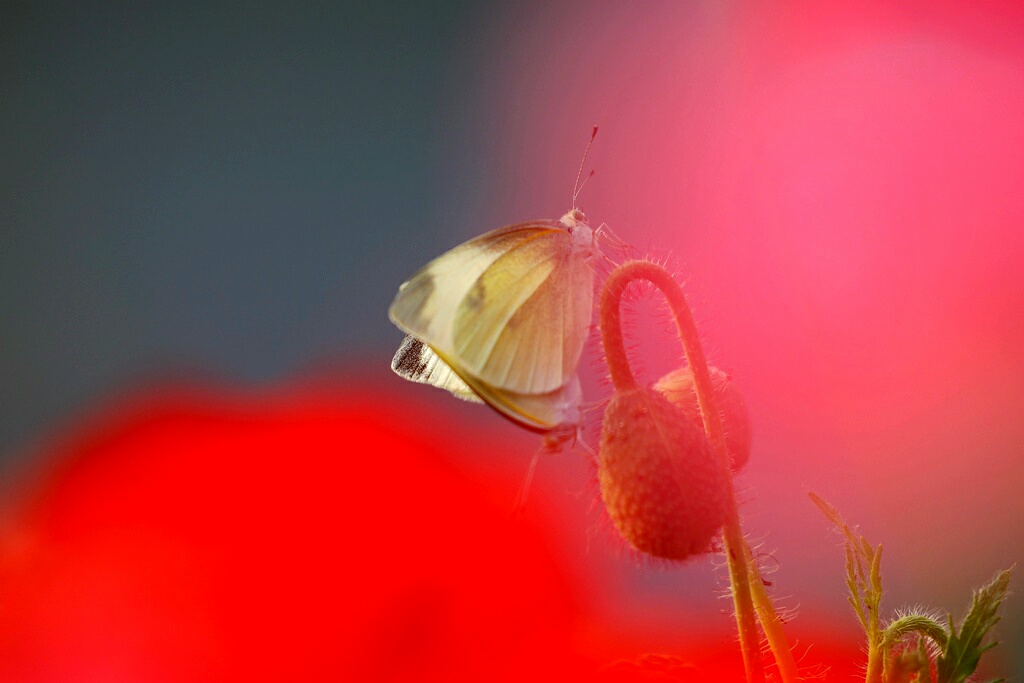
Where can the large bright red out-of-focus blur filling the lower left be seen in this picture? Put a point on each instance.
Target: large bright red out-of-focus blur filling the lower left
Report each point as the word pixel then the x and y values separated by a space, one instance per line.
pixel 195 534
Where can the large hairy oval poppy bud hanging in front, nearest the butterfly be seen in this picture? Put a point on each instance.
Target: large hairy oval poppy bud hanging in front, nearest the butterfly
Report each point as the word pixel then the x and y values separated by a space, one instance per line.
pixel 661 480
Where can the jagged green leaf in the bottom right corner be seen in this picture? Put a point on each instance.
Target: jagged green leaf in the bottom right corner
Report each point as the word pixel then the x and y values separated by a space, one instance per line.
pixel 963 651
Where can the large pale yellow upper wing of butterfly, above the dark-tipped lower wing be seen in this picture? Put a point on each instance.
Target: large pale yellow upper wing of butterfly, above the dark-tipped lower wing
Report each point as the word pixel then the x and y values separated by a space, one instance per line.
pixel 511 309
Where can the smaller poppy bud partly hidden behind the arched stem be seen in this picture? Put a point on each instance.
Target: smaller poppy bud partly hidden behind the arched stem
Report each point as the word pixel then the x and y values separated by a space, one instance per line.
pixel 678 388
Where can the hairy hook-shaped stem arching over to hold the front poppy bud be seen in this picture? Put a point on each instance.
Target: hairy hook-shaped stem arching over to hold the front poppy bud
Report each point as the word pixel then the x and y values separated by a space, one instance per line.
pixel 736 546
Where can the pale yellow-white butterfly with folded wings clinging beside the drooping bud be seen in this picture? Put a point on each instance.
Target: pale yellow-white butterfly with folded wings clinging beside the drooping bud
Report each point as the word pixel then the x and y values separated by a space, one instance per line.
pixel 503 320
